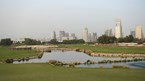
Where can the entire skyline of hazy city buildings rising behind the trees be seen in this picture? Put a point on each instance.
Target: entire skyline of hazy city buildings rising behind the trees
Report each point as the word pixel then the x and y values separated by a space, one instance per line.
pixel 92 37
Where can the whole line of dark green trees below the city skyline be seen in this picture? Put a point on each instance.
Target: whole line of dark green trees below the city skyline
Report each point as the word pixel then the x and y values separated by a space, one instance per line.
pixel 102 39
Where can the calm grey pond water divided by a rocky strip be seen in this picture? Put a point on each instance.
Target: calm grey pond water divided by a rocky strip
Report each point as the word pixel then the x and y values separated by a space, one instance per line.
pixel 73 56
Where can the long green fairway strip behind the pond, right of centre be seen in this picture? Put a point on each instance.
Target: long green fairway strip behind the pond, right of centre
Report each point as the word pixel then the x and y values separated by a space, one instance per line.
pixel 107 49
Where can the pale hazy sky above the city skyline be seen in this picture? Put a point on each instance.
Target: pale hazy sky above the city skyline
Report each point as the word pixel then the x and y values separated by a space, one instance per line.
pixel 38 18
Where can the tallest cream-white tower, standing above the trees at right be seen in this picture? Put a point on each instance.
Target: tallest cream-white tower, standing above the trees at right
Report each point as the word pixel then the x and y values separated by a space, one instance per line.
pixel 118 29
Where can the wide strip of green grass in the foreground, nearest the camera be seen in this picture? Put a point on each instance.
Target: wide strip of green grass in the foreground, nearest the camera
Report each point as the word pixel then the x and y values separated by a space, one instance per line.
pixel 45 72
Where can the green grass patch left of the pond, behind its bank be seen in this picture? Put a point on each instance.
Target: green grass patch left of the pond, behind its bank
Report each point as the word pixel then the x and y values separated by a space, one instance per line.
pixel 6 52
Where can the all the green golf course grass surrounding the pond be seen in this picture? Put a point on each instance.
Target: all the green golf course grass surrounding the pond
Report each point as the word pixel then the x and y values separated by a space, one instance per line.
pixel 47 72
